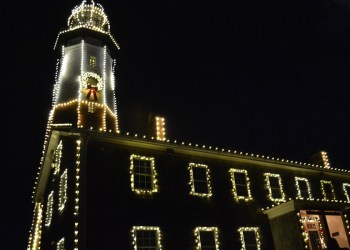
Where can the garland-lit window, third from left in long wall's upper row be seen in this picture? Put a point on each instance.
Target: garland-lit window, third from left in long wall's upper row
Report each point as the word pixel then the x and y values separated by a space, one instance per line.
pixel 240 184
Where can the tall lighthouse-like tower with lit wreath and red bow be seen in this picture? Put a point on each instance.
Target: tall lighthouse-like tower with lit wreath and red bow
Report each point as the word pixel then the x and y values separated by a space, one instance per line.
pixel 84 91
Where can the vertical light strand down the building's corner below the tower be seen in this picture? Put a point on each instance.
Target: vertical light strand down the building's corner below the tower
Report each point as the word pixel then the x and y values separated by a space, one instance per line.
pixel 76 204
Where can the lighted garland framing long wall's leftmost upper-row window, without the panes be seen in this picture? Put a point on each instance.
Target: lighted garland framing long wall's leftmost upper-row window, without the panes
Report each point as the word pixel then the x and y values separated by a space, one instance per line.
pixel 153 175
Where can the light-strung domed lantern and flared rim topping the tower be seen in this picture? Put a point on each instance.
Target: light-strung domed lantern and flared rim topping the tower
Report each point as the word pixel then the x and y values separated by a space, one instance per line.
pixel 88 16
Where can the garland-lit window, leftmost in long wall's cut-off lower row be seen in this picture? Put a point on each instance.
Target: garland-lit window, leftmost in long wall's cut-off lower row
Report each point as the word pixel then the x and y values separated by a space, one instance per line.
pixel 146 238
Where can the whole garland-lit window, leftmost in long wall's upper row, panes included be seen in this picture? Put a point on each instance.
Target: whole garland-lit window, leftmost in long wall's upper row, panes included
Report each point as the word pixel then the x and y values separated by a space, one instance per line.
pixel 143 174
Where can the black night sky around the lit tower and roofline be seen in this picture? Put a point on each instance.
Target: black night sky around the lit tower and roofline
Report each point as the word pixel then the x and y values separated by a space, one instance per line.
pixel 263 77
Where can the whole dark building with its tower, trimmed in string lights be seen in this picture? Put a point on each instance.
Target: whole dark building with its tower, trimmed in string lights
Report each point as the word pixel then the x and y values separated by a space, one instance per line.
pixel 99 188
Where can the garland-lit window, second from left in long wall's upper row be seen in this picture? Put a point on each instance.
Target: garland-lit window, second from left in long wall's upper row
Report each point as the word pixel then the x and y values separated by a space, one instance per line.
pixel 200 180
